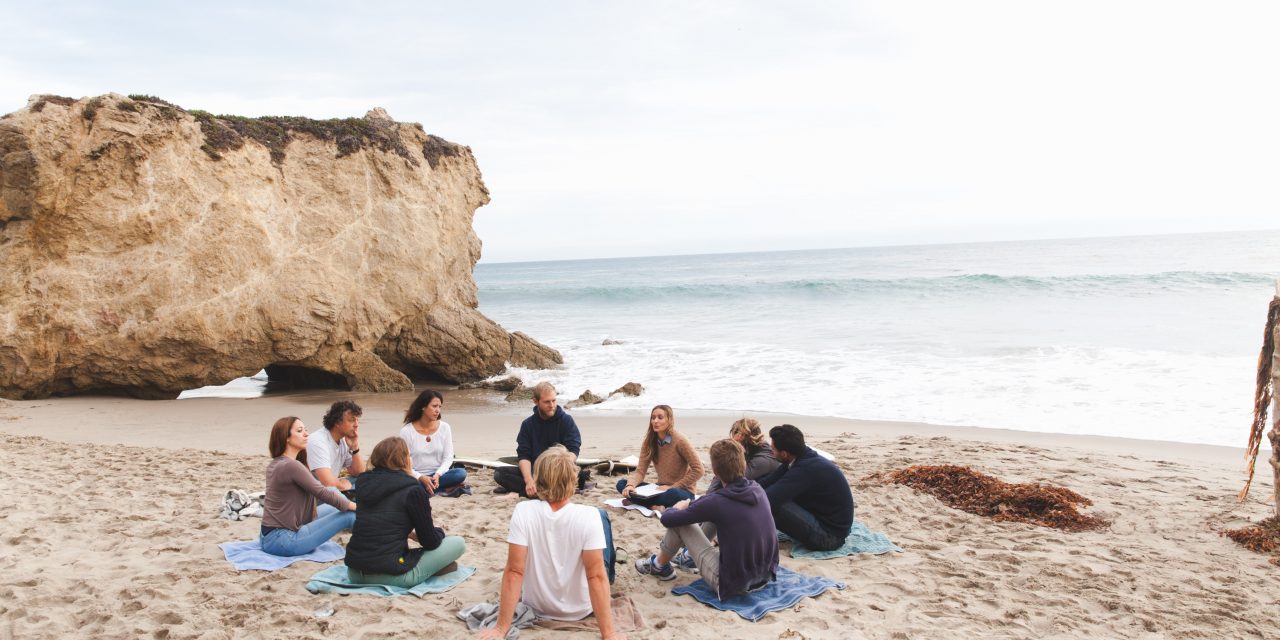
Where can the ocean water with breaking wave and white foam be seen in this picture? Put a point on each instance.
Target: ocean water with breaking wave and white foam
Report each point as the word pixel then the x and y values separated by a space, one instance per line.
pixel 1141 337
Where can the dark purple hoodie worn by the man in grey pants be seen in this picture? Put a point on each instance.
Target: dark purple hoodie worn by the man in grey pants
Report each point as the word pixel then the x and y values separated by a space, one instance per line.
pixel 749 545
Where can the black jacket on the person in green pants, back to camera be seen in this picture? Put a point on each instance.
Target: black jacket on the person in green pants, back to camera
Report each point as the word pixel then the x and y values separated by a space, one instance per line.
pixel 388 505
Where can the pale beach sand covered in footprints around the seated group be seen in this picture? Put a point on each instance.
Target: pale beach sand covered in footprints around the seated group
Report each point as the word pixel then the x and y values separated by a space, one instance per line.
pixel 113 531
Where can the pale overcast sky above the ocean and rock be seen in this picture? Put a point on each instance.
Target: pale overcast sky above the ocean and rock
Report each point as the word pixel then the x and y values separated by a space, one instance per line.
pixel 647 129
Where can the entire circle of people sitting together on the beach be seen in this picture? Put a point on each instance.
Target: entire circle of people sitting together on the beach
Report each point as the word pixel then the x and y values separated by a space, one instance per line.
pixel 561 556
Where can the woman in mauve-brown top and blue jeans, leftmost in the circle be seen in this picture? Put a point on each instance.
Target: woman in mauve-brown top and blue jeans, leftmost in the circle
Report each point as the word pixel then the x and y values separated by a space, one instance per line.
pixel 292 524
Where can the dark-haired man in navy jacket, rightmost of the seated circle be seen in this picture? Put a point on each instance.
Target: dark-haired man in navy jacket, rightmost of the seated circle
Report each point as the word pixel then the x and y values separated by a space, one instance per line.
pixel 808 495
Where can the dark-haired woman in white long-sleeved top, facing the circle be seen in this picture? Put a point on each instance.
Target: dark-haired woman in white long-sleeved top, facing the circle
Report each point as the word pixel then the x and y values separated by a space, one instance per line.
pixel 431 447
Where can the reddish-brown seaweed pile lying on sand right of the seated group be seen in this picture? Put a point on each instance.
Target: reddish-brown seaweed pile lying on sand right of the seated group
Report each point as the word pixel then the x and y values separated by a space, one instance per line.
pixel 975 492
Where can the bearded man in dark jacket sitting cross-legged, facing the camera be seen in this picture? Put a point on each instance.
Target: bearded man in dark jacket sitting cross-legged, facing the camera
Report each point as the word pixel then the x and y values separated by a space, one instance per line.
pixel 548 427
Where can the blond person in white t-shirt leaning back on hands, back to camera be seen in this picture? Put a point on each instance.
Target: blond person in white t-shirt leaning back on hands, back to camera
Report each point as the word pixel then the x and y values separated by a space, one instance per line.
pixel 557 552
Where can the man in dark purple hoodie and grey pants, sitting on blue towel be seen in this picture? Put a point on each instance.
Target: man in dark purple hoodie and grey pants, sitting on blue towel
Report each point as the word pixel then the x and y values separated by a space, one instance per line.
pixel 748 554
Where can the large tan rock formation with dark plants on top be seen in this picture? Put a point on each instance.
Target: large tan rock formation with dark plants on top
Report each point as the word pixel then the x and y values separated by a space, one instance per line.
pixel 148 250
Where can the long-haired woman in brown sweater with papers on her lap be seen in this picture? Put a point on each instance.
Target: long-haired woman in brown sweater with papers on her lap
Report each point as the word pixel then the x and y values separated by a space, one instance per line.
pixel 673 458
